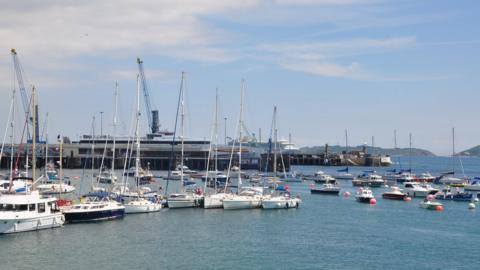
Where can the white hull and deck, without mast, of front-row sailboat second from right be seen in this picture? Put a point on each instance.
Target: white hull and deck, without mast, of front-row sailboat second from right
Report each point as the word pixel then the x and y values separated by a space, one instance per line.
pixel 249 197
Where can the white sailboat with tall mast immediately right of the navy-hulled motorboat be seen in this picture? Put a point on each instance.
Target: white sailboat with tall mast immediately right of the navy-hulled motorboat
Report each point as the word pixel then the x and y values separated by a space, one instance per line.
pixel 140 204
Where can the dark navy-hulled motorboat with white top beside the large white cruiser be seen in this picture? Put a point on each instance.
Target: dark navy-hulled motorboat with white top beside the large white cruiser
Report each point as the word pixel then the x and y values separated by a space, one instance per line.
pixel 95 206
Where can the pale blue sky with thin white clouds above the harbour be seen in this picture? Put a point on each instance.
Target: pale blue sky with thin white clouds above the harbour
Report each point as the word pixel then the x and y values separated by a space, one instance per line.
pixel 369 66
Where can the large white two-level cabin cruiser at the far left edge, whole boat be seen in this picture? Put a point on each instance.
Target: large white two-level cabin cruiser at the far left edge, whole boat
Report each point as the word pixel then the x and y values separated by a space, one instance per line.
pixel 28 212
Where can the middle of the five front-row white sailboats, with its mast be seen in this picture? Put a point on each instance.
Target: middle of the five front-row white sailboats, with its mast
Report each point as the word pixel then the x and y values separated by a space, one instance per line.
pixel 214 178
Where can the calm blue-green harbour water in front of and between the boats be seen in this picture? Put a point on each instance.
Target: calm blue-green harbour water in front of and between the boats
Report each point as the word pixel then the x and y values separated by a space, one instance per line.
pixel 326 232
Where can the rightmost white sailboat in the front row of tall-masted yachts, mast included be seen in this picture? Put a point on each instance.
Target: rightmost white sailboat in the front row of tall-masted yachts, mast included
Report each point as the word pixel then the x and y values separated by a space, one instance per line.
pixel 280 199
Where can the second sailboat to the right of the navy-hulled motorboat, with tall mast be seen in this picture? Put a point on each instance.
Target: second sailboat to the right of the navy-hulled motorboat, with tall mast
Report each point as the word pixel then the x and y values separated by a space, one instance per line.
pixel 183 199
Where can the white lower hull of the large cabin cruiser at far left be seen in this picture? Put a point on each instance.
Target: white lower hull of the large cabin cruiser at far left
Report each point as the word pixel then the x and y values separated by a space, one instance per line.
pixel 32 224
